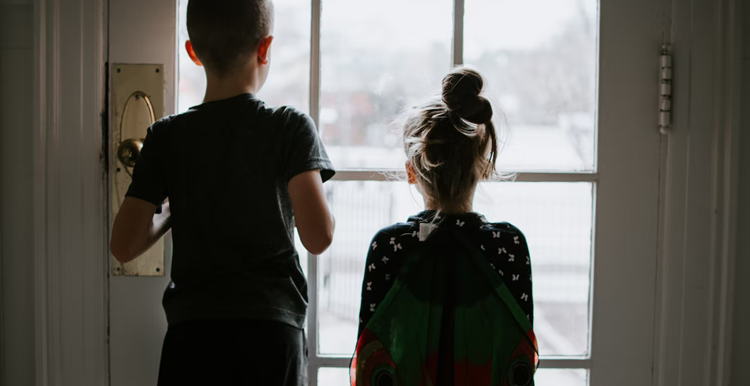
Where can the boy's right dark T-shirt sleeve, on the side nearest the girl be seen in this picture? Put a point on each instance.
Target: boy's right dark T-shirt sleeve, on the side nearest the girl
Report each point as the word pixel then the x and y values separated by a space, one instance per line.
pixel 304 151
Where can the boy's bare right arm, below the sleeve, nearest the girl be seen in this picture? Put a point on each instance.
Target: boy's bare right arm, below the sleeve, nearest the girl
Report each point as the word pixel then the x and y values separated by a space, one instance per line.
pixel 312 216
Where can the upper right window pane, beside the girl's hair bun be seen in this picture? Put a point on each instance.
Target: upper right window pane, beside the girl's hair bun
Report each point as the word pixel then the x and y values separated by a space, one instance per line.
pixel 541 70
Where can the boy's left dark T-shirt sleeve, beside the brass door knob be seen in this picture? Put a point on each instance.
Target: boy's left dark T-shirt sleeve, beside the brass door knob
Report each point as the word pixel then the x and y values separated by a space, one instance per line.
pixel 148 179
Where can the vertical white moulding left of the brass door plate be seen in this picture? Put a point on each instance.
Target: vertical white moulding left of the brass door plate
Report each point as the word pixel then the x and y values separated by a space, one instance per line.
pixel 70 226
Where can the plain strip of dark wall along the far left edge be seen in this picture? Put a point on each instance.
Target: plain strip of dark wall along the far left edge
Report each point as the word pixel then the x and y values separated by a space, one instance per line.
pixel 16 242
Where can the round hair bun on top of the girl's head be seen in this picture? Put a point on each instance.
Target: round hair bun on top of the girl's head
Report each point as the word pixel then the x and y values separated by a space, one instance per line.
pixel 461 89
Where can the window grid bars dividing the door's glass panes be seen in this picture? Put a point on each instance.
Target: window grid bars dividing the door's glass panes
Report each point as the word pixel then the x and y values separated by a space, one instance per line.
pixel 317 360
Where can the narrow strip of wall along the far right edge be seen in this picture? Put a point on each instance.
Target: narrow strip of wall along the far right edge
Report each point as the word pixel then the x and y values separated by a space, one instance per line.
pixel 741 326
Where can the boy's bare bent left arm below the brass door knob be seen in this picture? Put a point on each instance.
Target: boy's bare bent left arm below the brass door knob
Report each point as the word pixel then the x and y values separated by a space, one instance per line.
pixel 137 228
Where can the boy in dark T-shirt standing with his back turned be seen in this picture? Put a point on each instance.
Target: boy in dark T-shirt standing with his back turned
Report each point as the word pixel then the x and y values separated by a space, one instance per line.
pixel 239 175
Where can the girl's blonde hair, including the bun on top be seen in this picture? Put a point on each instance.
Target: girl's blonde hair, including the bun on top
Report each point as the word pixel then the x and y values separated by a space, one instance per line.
pixel 451 141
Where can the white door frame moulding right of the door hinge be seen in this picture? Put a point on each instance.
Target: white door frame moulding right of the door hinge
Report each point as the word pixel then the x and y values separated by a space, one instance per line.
pixel 698 192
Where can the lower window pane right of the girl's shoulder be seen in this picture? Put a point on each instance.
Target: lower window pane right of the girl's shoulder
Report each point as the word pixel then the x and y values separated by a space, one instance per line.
pixel 556 219
